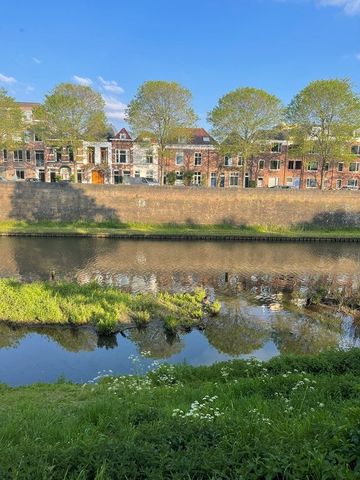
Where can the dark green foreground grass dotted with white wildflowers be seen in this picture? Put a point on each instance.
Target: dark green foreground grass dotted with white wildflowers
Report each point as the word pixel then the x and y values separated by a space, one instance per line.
pixel 292 418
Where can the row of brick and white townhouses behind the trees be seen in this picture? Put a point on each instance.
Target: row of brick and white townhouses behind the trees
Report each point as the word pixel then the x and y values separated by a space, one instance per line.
pixel 191 160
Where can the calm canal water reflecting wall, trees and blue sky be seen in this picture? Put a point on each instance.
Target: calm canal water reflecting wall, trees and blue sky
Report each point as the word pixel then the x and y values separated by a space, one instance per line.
pixel 260 285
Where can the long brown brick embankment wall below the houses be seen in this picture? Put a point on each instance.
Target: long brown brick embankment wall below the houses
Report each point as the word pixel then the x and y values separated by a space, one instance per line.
pixel 68 202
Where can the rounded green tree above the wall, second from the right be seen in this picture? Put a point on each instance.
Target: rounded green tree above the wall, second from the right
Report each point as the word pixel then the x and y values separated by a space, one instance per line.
pixel 242 120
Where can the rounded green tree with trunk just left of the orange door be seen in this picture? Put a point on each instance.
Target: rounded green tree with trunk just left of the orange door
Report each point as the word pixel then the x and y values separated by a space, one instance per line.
pixel 70 115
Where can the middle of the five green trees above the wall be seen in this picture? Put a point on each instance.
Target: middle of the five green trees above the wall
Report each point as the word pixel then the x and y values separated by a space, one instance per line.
pixel 163 110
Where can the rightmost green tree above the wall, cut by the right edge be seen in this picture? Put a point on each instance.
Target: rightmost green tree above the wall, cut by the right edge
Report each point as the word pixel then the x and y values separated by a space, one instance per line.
pixel 324 116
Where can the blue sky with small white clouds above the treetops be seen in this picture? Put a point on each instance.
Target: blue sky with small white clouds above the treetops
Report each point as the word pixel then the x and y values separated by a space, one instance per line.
pixel 210 46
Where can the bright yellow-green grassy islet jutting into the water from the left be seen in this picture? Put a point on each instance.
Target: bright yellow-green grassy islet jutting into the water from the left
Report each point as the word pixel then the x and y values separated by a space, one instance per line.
pixel 105 308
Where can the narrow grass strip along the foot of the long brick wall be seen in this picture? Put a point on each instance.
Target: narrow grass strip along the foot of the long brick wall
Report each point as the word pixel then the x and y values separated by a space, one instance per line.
pixel 129 229
